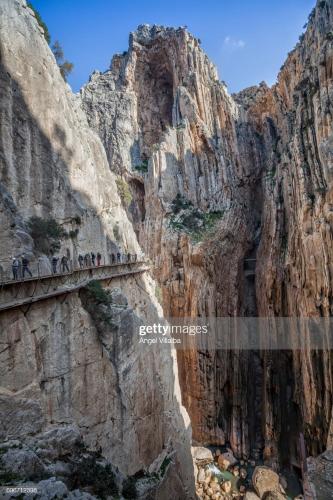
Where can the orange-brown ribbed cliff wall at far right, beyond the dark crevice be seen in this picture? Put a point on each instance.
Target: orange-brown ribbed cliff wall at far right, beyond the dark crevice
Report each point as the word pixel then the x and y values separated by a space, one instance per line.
pixel 294 270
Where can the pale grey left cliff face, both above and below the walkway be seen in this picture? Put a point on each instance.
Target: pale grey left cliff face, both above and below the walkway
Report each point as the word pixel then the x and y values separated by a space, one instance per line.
pixel 56 368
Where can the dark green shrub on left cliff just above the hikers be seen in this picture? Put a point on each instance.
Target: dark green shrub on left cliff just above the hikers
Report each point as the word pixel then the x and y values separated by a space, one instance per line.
pixel 46 234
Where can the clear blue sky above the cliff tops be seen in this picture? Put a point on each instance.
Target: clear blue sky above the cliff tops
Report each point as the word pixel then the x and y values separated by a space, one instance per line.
pixel 248 40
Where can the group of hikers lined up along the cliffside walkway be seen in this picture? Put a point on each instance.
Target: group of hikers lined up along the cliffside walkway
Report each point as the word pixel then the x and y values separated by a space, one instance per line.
pixel 20 266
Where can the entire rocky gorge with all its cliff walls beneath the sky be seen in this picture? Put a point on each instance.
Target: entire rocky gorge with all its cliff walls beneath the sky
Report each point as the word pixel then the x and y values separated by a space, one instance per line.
pixel 230 197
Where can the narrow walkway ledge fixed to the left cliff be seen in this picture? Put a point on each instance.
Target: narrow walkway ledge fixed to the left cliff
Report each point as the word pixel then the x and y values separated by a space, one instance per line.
pixel 28 291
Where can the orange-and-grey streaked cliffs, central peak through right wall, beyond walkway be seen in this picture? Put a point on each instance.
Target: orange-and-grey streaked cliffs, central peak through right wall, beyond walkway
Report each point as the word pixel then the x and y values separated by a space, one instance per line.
pixel 217 181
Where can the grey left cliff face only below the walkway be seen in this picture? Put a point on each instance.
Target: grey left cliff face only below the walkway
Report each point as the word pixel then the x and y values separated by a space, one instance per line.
pixel 58 368
